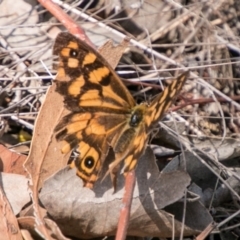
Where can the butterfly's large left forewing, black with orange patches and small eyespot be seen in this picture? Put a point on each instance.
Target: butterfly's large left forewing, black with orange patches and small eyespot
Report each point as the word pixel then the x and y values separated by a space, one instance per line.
pixel 92 80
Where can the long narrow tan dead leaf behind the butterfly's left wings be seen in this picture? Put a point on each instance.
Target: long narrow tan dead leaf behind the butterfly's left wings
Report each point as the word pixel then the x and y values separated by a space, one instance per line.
pixel 45 157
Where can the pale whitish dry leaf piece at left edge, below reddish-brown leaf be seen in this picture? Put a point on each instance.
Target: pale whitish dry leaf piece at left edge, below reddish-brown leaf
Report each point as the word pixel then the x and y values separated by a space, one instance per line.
pixel 16 189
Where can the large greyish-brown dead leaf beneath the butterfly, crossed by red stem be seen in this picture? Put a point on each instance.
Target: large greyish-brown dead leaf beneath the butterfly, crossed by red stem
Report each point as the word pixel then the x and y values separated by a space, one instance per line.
pixel 92 213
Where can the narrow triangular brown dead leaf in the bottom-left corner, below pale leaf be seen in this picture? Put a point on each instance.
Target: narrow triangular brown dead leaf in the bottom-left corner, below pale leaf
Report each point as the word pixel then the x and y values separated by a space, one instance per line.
pixel 8 223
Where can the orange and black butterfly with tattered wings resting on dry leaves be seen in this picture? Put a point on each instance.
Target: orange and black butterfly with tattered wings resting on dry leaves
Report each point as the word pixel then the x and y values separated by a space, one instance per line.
pixel 103 114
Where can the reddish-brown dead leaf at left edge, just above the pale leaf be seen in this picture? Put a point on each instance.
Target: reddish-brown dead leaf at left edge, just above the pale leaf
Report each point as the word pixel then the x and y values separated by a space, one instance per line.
pixel 12 162
